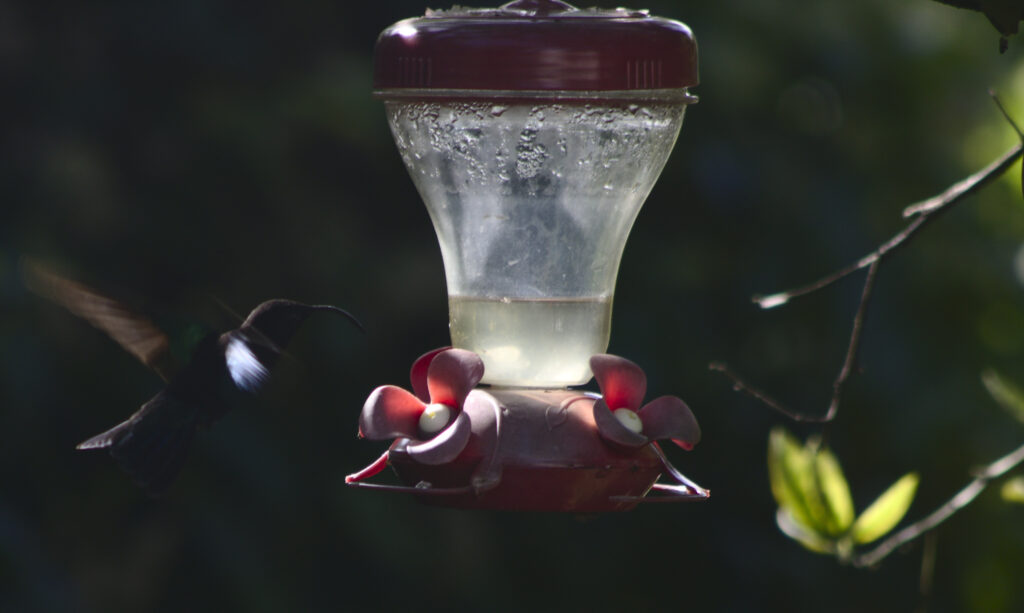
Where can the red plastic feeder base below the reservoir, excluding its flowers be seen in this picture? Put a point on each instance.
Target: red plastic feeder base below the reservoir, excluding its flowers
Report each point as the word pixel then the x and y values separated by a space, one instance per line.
pixel 539 451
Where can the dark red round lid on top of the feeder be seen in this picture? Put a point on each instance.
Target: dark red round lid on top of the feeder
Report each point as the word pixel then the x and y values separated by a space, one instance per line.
pixel 535 46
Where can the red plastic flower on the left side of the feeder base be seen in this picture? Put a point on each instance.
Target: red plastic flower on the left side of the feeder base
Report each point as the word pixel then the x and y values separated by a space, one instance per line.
pixel 433 419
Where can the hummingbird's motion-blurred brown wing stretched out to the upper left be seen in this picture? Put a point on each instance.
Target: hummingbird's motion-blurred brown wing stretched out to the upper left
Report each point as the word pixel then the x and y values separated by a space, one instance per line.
pixel 137 334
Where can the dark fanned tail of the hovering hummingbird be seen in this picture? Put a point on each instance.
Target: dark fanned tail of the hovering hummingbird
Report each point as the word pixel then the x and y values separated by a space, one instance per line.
pixel 151 451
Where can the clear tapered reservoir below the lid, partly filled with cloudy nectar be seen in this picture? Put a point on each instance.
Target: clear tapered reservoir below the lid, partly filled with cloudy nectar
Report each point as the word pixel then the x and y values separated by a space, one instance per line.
pixel 532 204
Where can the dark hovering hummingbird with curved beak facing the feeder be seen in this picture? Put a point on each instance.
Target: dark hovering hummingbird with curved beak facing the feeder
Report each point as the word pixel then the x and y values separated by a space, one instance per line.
pixel 223 372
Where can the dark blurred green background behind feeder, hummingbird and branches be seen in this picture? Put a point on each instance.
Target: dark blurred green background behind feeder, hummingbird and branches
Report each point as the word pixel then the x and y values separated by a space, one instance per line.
pixel 180 154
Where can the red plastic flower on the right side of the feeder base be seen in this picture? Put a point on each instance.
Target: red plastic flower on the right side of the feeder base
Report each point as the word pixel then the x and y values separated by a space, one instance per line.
pixel 622 420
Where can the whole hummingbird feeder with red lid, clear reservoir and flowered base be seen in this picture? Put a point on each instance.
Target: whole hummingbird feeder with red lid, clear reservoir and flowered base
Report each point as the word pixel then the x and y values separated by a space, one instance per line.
pixel 534 133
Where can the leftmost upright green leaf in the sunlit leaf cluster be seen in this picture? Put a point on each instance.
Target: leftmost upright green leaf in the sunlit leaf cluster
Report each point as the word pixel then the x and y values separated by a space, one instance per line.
pixel 791 472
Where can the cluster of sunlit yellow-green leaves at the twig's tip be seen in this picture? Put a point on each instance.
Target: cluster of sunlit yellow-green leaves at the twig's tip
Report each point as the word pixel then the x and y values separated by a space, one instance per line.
pixel 815 503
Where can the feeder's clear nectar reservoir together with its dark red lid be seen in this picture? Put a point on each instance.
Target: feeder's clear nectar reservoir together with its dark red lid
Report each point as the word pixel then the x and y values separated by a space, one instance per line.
pixel 534 145
